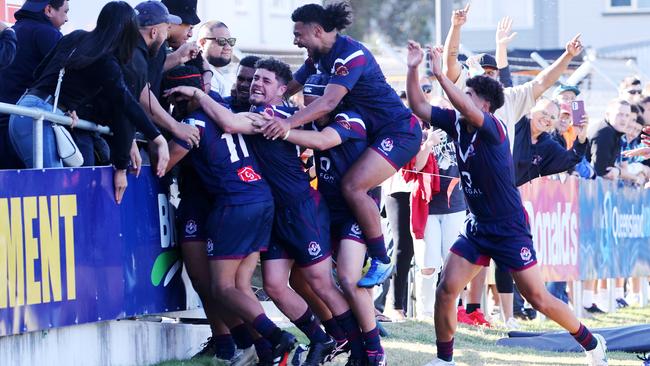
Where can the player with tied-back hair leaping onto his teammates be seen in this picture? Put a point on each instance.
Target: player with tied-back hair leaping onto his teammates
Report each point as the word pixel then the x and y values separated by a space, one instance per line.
pixel 357 84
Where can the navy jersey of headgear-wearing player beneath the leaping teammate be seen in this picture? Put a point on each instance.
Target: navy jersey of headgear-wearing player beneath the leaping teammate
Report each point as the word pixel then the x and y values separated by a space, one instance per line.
pixel 333 163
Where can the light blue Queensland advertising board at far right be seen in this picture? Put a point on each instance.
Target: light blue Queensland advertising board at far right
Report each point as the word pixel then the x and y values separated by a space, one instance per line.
pixel 614 230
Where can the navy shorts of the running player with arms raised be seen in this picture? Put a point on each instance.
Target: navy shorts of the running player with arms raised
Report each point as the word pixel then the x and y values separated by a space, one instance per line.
pixel 507 242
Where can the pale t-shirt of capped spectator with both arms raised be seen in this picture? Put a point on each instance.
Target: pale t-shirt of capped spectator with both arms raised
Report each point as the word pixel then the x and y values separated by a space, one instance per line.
pixel 518 101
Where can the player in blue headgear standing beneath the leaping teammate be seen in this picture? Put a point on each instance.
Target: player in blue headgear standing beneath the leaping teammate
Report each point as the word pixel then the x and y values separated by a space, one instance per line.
pixel 338 141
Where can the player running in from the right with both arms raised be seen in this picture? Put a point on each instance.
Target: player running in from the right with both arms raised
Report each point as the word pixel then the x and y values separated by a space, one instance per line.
pixel 496 226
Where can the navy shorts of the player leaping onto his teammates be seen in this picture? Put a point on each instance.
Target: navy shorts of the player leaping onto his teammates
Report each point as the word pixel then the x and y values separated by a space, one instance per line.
pixel 399 143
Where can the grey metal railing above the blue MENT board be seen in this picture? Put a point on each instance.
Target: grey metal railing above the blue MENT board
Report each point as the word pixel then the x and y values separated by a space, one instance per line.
pixel 39 116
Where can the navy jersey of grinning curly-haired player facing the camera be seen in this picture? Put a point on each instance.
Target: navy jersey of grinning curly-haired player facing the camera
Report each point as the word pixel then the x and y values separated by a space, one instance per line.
pixel 280 162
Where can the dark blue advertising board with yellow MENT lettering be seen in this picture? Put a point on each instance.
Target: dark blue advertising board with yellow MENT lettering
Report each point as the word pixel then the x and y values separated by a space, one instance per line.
pixel 69 254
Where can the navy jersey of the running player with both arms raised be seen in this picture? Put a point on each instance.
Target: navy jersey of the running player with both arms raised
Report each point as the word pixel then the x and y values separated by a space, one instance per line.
pixel 485 165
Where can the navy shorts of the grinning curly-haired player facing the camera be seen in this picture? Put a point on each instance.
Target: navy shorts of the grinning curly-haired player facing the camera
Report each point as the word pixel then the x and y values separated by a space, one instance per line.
pixel 301 232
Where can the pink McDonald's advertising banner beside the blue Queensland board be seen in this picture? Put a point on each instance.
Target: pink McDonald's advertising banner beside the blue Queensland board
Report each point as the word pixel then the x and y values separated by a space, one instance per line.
pixel 553 213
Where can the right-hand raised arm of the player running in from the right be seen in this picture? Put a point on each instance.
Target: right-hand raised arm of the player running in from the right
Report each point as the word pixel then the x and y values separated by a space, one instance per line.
pixel 457 97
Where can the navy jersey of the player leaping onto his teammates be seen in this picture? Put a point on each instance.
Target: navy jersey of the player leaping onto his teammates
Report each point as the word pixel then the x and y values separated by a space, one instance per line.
pixel 351 65
